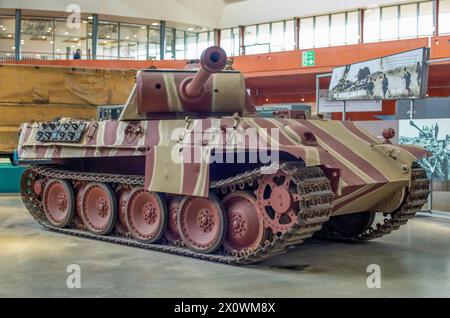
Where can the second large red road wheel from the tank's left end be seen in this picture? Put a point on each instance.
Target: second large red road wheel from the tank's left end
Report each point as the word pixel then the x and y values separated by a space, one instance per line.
pixel 98 208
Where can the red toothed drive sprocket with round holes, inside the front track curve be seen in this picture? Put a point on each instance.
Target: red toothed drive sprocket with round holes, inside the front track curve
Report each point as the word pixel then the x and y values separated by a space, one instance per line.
pixel 278 202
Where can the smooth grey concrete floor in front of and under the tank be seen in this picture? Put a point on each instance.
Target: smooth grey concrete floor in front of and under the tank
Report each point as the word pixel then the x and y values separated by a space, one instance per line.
pixel 415 262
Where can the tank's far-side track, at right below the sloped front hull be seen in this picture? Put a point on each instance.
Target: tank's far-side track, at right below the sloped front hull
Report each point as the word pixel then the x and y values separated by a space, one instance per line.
pixel 416 197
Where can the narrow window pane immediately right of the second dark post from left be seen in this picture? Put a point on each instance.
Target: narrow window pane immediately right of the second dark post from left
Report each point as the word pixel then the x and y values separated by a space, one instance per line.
pixel 108 40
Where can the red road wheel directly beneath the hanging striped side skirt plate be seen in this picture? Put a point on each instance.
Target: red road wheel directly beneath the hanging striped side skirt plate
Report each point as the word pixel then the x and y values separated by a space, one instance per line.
pixel 202 223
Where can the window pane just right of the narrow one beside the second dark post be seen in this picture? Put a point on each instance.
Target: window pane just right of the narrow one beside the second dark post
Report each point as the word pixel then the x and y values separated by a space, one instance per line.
pixel 133 42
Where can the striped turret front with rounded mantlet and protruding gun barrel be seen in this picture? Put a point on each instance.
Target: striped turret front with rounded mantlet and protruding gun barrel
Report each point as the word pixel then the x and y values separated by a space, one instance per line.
pixel 208 90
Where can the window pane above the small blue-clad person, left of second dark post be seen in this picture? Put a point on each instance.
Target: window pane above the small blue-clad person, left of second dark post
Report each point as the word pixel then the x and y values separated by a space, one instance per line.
pixel 68 40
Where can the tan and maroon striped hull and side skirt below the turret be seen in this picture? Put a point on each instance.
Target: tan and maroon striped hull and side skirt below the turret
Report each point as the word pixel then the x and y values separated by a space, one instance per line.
pixel 368 167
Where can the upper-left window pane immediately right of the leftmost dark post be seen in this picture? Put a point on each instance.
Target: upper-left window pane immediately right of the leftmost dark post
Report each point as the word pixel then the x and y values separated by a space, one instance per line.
pixel 37 38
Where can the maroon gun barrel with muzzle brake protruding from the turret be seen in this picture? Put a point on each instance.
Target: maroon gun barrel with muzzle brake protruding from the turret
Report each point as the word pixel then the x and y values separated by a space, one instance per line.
pixel 213 60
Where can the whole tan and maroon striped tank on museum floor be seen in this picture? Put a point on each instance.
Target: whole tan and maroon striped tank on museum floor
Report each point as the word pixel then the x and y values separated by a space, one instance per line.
pixel 190 169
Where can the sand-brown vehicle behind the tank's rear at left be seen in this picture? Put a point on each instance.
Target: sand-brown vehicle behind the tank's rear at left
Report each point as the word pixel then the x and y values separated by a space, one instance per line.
pixel 43 93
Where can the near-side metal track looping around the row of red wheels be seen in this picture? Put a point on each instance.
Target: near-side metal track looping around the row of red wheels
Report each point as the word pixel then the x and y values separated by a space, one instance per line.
pixel 311 183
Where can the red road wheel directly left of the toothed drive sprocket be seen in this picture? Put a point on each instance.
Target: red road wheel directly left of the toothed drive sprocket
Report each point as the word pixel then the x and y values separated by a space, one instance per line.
pixel 245 226
